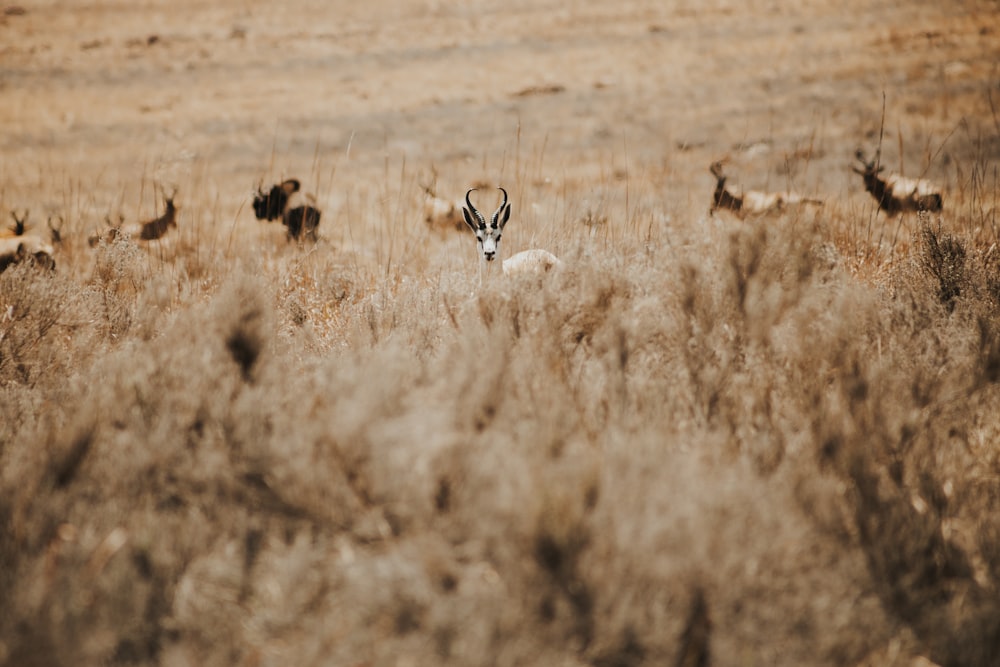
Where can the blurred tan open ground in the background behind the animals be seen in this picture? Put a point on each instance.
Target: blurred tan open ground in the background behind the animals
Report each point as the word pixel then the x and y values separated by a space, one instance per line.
pixel 344 95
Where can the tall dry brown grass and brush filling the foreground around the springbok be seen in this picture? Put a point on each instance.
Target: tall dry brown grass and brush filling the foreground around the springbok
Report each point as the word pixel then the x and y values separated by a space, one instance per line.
pixel 704 442
